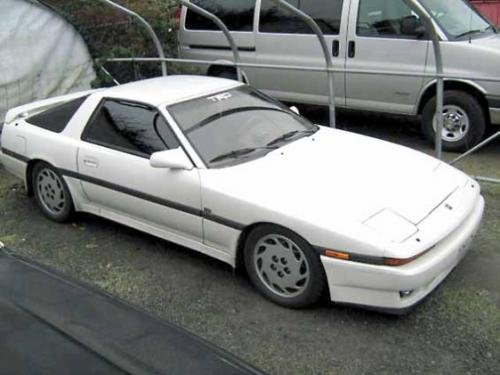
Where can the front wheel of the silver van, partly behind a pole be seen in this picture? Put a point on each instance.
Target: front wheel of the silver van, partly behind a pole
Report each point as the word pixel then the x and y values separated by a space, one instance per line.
pixel 465 121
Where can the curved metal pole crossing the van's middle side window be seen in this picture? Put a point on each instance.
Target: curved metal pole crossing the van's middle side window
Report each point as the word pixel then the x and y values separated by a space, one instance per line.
pixel 326 52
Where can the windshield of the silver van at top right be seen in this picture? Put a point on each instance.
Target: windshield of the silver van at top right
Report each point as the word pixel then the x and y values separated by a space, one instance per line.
pixel 457 18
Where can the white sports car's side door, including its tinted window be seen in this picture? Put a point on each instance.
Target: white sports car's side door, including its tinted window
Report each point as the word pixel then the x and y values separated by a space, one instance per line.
pixel 113 164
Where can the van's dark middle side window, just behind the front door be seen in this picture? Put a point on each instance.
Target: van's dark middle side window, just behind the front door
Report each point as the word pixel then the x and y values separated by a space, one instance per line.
pixel 327 14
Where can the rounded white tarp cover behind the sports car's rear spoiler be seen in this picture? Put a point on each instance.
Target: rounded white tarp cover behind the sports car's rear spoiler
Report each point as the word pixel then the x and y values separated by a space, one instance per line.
pixel 41 55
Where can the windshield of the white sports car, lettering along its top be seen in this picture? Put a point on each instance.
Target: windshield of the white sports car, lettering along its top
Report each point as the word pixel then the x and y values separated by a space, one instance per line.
pixel 238 125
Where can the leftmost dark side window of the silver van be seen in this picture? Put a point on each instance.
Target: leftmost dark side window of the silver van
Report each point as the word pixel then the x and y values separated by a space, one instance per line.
pixel 237 15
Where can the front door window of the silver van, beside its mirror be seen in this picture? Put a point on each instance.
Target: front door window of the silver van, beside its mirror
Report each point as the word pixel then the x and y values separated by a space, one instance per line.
pixel 385 19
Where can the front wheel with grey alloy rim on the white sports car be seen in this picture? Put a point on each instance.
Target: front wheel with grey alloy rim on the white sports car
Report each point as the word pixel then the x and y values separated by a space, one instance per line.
pixel 283 266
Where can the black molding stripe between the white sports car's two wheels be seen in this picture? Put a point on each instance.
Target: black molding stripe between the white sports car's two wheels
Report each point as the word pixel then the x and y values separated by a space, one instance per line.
pixel 153 199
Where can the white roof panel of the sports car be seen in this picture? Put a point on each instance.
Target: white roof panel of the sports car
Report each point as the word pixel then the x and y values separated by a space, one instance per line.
pixel 169 90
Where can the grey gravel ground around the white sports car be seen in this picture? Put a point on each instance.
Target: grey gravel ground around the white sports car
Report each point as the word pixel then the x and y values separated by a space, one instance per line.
pixel 456 329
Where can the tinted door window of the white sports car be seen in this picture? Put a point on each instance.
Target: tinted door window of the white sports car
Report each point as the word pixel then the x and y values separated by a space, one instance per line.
pixel 130 127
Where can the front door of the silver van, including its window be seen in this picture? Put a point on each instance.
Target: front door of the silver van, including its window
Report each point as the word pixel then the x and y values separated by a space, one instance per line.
pixel 378 41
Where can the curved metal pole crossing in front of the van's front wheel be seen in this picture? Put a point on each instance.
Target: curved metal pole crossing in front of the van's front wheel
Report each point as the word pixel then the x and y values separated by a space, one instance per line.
pixel 431 29
